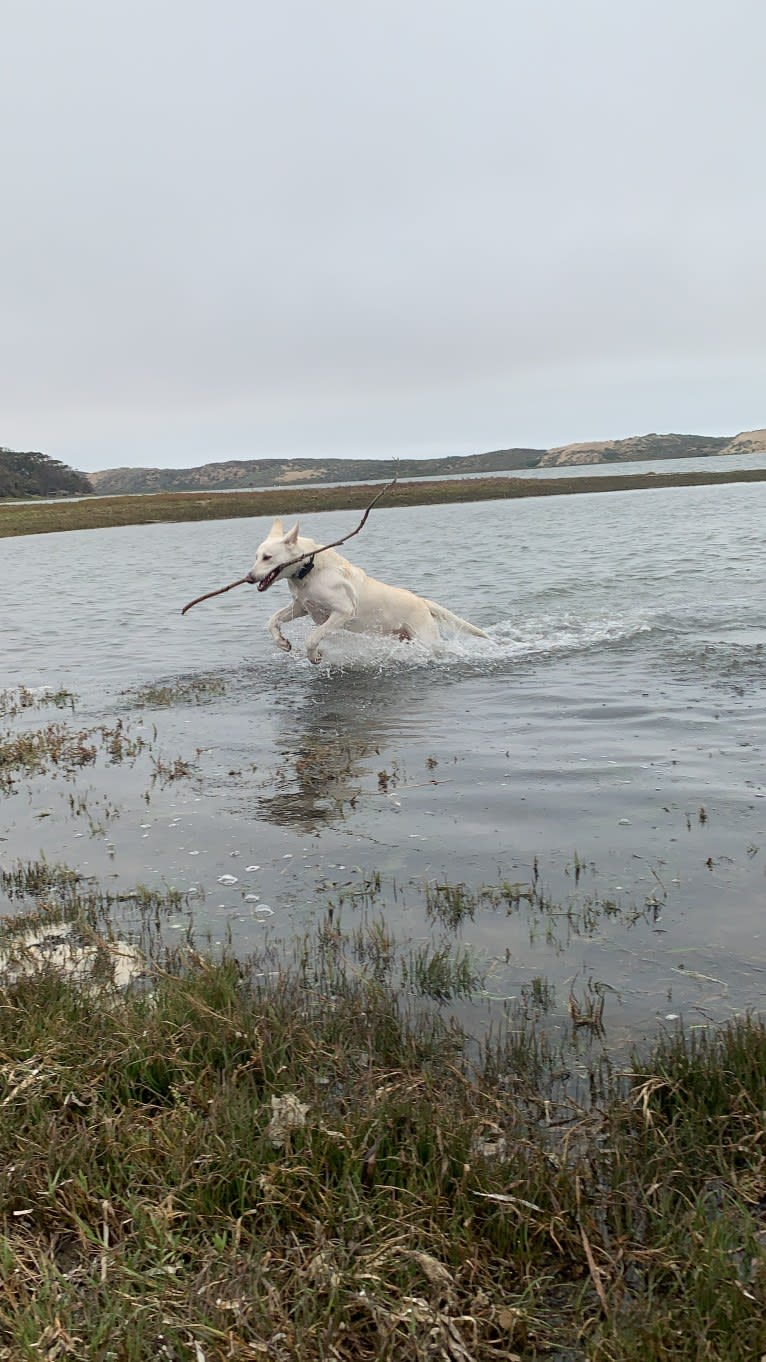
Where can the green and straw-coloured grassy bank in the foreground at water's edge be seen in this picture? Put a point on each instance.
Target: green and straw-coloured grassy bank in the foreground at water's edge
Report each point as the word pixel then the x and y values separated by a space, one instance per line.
pixel 306 1158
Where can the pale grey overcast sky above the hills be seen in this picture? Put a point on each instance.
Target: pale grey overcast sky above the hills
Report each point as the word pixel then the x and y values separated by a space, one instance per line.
pixel 251 228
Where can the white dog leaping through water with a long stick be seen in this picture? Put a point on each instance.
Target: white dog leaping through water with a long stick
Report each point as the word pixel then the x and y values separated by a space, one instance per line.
pixel 340 596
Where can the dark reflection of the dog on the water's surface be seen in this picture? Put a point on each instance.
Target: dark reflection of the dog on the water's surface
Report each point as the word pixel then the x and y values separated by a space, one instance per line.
pixel 331 739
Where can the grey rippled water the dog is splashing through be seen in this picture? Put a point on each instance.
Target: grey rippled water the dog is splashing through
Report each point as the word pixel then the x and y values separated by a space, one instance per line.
pixel 606 743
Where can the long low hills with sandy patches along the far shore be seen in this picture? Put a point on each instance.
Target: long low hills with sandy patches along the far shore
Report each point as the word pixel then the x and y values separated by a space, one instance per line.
pixel 236 475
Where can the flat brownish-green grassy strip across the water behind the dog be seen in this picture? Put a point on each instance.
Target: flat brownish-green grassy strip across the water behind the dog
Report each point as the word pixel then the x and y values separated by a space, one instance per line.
pixel 100 513
